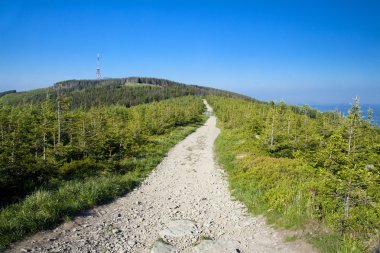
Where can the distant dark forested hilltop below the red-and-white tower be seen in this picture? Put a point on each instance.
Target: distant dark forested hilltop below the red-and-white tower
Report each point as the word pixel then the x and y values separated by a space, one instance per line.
pixel 121 91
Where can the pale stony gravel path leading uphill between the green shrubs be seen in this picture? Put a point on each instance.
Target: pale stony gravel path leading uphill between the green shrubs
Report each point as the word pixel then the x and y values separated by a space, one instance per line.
pixel 183 206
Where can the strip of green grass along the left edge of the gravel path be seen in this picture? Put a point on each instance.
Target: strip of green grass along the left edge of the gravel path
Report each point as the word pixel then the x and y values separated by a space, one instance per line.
pixel 46 208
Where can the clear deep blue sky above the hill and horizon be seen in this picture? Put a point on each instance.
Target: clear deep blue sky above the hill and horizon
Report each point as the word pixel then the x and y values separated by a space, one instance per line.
pixel 300 51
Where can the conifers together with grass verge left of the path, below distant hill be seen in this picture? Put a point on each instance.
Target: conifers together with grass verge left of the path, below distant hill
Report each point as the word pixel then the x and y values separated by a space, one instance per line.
pixel 66 160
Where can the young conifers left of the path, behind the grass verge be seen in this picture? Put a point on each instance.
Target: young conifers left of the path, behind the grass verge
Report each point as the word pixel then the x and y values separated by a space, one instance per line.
pixel 45 143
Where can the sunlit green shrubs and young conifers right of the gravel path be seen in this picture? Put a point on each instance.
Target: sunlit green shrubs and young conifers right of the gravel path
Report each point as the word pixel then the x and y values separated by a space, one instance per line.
pixel 300 167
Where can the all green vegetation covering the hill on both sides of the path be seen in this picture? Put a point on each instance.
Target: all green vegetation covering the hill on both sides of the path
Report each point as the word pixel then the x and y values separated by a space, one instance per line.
pixel 82 142
